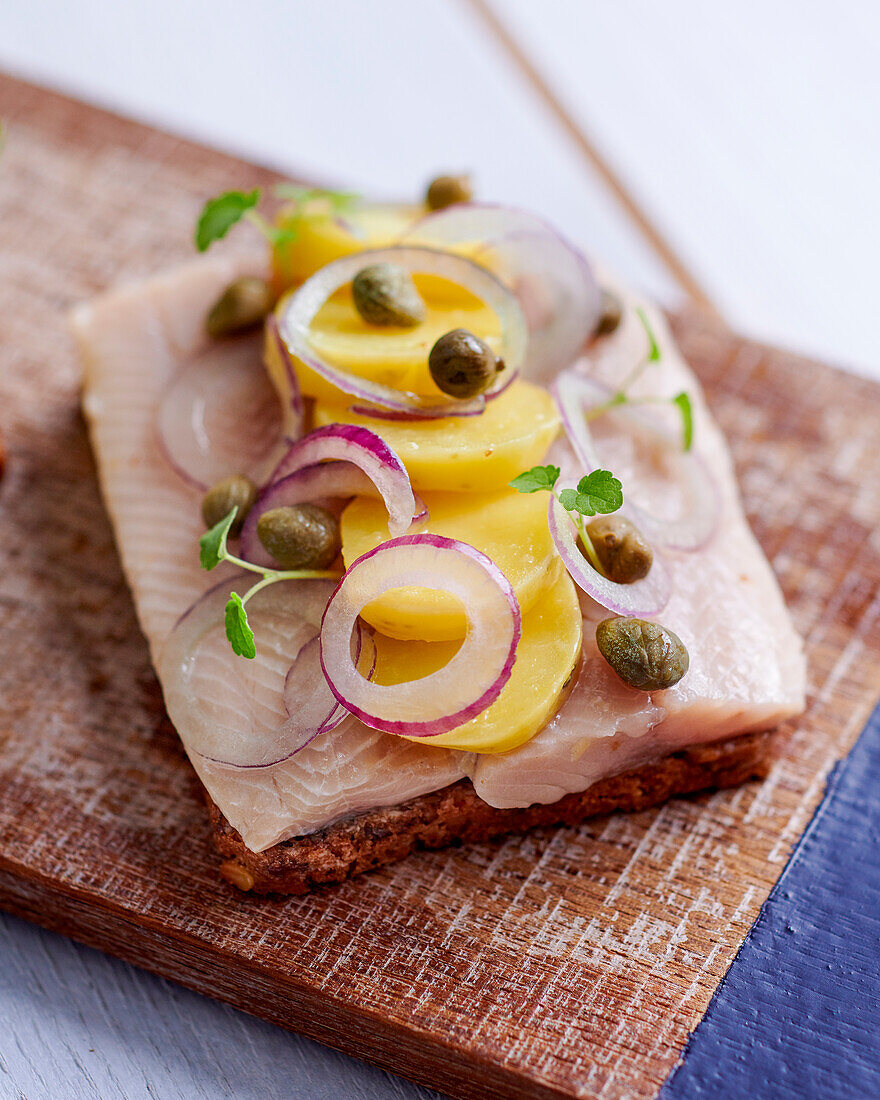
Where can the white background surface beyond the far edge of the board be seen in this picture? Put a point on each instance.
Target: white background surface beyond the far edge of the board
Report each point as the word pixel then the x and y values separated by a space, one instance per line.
pixel 749 133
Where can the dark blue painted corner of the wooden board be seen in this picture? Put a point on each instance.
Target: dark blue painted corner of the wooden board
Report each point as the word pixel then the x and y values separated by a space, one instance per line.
pixel 799 1013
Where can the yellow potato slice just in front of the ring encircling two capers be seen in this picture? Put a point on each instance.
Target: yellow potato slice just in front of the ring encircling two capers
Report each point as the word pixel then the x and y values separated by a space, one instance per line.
pixel 467 454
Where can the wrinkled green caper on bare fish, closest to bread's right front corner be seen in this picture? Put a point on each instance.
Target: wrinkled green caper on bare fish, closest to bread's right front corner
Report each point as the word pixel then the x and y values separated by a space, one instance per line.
pixel 644 655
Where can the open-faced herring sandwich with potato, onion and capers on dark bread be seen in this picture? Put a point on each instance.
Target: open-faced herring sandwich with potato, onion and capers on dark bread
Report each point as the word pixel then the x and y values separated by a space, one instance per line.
pixel 431 533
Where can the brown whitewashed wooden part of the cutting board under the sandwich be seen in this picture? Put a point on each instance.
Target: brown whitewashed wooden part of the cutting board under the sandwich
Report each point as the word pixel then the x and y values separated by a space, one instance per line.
pixel 566 963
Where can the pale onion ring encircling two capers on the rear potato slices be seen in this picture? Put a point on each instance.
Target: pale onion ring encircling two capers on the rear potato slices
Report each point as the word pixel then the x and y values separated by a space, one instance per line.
pixel 303 306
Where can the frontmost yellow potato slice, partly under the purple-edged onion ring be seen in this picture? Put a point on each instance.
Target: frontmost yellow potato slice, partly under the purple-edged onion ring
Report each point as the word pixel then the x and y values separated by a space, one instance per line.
pixel 546 659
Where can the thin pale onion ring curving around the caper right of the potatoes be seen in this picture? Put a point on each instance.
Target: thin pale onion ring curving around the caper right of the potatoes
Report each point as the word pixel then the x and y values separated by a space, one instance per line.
pixel 647 597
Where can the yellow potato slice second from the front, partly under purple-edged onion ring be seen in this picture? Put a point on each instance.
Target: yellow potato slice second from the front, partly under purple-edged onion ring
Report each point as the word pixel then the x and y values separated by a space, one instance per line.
pixel 509 527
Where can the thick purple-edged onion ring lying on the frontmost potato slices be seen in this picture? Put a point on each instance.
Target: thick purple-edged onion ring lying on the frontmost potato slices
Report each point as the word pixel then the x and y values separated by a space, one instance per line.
pixel 476 676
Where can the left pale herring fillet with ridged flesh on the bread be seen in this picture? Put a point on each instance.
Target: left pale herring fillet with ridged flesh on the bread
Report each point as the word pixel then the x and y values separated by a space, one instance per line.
pixel 133 340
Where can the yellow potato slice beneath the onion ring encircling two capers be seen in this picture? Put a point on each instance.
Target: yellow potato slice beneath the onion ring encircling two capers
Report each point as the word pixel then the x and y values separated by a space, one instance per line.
pixel 392 356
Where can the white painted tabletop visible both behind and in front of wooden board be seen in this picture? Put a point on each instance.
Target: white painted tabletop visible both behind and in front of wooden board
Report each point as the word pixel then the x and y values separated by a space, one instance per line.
pixel 745 136
